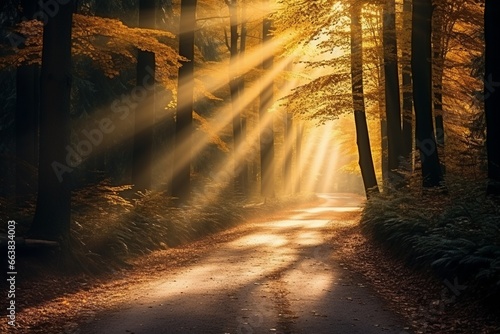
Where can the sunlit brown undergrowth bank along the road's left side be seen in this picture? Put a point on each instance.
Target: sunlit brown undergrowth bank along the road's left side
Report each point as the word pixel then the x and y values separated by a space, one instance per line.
pixel 111 225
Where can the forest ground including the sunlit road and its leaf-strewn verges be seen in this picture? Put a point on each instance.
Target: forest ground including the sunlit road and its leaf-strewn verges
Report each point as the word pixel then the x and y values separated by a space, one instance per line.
pixel 305 270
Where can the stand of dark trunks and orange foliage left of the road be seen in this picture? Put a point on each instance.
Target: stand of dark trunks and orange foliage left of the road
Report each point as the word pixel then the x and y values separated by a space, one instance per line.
pixel 54 90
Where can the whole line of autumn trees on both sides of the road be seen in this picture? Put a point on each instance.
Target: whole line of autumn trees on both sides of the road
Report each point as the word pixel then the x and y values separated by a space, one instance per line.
pixel 425 69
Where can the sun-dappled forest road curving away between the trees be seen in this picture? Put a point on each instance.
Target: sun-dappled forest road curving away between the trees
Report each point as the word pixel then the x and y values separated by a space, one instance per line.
pixel 279 277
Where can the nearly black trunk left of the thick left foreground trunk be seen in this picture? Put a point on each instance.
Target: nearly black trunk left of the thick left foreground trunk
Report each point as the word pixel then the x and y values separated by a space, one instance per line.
pixel 27 104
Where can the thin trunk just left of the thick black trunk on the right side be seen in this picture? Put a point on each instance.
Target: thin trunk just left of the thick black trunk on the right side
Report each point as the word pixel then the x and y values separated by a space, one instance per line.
pixel 407 140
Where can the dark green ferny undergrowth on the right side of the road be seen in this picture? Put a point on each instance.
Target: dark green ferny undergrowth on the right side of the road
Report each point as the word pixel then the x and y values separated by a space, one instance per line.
pixel 455 235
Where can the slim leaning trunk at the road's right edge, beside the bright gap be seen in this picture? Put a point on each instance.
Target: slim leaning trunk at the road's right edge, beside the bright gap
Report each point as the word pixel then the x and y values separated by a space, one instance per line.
pixel 363 139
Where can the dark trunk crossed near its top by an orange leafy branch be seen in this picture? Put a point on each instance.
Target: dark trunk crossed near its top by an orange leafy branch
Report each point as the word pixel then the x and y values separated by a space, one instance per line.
pixel 145 112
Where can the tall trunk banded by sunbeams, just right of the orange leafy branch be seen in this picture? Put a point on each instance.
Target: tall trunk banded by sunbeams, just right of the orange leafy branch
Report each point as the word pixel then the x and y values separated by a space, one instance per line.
pixel 181 178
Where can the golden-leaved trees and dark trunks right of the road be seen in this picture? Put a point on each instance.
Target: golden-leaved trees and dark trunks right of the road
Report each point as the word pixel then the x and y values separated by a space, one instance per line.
pixel 423 61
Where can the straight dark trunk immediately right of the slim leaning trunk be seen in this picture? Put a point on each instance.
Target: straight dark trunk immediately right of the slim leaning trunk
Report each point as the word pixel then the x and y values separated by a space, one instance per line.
pixel 392 99
